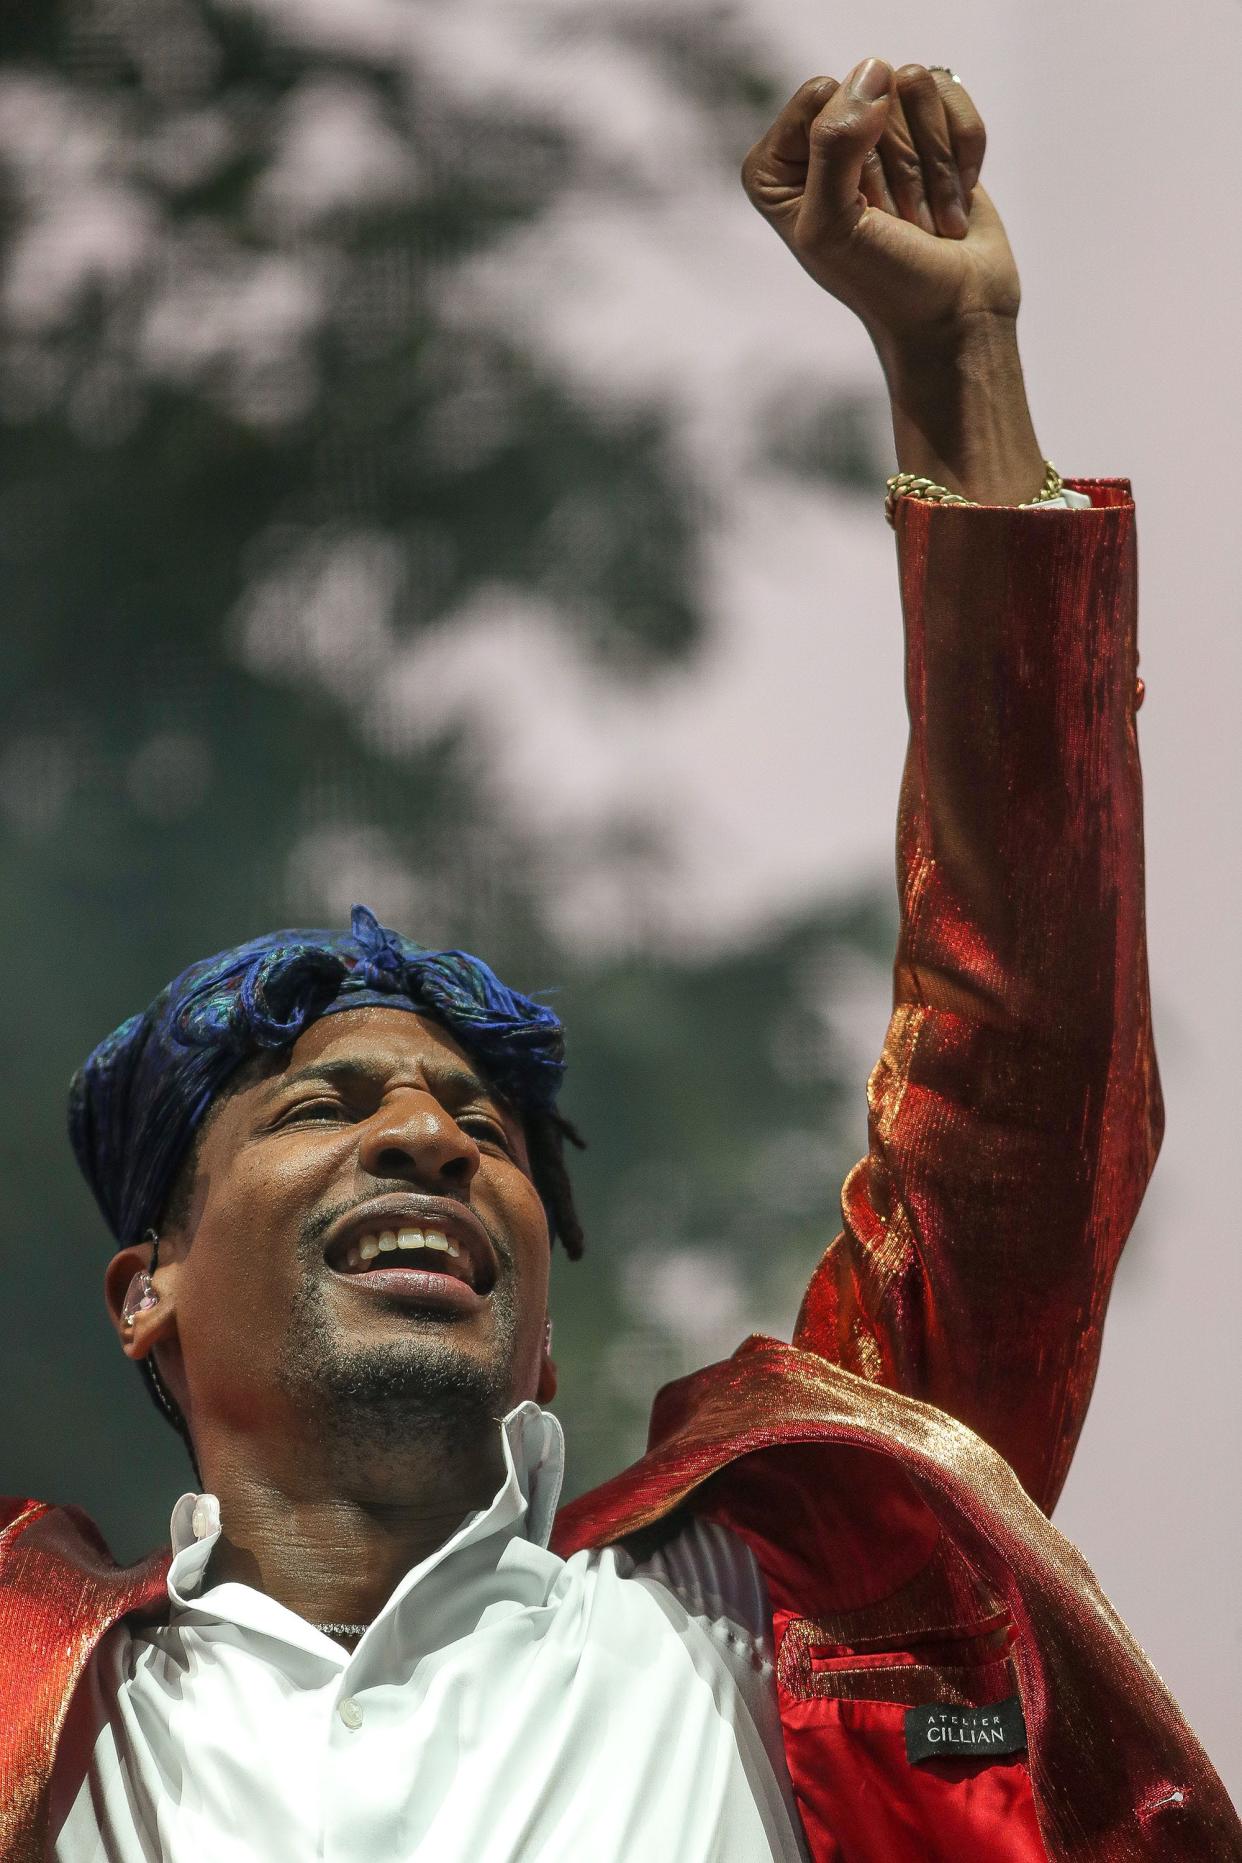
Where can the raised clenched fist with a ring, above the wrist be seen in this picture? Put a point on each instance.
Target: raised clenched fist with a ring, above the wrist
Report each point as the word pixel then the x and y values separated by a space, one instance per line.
pixel 878 198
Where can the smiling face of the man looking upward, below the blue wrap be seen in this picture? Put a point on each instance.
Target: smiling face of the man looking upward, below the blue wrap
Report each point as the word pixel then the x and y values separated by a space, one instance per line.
pixel 377 1122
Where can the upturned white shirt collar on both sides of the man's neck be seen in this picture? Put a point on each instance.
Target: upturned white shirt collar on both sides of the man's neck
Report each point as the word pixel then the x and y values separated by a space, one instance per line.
pixel 524 1506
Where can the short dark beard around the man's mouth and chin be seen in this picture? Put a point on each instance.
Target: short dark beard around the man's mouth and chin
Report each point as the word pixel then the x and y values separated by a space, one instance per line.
pixel 383 1406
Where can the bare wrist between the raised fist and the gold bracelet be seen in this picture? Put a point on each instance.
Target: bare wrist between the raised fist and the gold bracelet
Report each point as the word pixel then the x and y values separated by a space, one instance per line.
pixel 960 413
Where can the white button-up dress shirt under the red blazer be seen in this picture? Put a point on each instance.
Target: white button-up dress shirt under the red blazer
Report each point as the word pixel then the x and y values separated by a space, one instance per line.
pixel 504 1706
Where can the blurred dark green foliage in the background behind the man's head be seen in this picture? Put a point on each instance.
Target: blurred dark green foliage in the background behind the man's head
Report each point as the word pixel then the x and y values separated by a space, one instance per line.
pixel 247 467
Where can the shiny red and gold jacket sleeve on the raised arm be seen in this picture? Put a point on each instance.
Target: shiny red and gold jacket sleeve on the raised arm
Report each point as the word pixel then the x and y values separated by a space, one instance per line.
pixel 1016 1111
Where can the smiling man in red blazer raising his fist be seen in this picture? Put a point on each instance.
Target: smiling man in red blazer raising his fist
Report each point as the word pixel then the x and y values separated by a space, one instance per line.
pixel 826 1616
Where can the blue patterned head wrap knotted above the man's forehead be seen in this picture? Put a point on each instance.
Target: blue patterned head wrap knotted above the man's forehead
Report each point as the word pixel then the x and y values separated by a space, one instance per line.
pixel 141 1096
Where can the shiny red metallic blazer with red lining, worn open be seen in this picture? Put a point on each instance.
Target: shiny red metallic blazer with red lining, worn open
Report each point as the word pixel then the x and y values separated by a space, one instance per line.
pixel 895 1467
